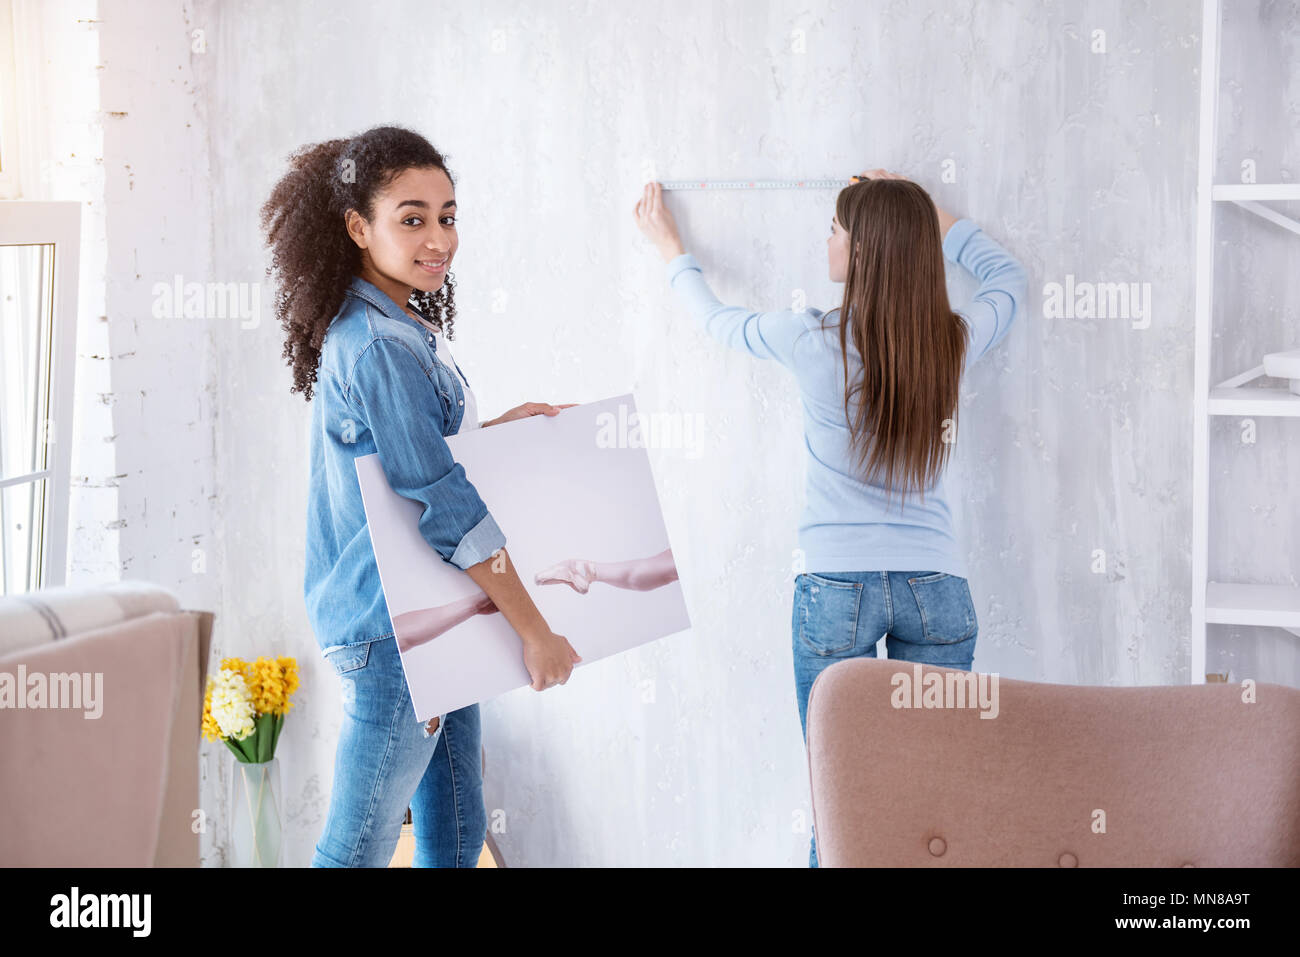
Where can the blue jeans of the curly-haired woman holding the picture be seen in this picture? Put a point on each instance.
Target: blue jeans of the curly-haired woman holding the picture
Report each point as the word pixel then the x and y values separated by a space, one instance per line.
pixel 388 761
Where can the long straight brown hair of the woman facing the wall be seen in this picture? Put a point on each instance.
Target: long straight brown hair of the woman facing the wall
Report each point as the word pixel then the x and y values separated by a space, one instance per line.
pixel 903 405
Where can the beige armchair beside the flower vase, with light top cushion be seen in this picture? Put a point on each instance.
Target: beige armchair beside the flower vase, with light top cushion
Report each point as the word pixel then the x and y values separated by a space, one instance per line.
pixel 110 778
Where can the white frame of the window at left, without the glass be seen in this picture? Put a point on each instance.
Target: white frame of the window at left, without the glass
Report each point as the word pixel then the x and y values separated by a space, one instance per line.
pixel 58 224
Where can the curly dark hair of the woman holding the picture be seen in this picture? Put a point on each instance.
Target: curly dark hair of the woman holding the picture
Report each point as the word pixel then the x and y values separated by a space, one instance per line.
pixel 314 259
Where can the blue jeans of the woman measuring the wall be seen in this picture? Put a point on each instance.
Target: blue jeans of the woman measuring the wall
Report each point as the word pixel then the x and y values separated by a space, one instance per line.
pixel 925 617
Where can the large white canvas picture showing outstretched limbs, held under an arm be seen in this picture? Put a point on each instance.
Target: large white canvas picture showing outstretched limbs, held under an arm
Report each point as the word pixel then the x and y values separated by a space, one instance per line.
pixel 575 496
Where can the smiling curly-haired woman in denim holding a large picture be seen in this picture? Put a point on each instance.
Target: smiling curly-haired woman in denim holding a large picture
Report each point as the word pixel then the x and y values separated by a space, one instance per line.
pixel 363 233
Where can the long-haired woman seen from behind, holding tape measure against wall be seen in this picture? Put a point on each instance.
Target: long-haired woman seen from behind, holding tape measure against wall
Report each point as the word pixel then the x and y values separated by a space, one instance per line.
pixel 879 380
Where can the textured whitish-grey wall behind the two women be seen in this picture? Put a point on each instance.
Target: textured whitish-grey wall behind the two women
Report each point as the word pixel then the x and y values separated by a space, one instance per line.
pixel 1077 434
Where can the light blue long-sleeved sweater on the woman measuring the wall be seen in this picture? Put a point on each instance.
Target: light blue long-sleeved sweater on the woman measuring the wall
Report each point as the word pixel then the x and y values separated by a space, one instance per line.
pixel 846 523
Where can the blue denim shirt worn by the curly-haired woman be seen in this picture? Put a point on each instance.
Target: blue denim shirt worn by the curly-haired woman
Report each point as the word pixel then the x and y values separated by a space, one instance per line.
pixel 382 388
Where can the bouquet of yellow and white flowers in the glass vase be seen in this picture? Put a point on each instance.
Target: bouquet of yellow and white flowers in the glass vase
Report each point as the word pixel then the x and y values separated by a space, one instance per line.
pixel 246 703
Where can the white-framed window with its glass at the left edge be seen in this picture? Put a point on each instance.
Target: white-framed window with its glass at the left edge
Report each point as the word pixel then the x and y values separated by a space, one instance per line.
pixel 40 246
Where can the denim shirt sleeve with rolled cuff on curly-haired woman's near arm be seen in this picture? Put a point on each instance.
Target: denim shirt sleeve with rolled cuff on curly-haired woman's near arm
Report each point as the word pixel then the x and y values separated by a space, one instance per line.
pixel 398 401
